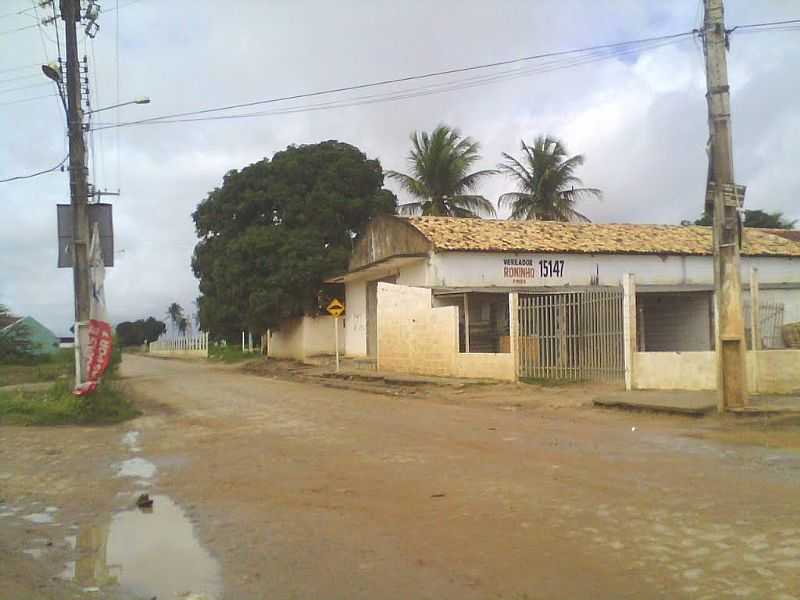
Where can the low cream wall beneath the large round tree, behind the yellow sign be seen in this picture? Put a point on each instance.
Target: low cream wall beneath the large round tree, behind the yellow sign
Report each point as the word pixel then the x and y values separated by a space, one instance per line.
pixel 302 338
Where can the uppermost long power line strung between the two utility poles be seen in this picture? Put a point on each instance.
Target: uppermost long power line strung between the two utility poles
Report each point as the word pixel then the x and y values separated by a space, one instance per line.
pixel 384 82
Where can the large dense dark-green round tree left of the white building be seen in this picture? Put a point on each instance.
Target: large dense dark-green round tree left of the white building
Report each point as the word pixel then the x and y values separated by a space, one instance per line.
pixel 275 229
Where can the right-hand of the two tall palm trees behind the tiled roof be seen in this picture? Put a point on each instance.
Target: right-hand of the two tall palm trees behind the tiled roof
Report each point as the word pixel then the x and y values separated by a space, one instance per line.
pixel 545 178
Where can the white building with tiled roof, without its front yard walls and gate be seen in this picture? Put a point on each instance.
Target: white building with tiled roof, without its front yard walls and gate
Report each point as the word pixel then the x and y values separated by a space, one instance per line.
pixel 476 263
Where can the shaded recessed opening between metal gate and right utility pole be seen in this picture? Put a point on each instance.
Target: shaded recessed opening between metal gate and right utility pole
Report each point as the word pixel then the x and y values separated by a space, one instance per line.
pixel 675 322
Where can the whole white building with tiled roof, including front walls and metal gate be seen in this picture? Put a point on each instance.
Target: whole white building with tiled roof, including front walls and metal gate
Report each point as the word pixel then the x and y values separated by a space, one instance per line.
pixel 518 299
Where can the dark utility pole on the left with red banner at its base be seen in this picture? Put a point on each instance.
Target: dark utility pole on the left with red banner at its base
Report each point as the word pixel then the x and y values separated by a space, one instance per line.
pixel 79 189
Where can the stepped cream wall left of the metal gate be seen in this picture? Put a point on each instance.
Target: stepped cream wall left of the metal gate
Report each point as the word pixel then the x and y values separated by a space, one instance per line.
pixel 414 337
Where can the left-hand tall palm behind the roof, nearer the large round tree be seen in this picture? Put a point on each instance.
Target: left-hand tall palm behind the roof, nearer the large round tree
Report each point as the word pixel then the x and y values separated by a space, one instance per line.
pixel 440 179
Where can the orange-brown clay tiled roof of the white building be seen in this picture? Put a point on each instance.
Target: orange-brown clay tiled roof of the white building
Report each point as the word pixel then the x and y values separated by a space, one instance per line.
pixel 450 233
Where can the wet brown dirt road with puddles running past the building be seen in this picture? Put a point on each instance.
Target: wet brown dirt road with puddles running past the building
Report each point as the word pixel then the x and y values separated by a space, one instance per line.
pixel 273 489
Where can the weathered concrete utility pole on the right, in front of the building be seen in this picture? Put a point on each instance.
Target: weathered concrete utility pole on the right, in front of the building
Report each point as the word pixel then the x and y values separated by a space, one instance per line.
pixel 724 198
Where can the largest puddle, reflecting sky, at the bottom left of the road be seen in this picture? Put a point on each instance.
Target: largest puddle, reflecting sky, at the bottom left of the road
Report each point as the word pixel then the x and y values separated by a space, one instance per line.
pixel 146 555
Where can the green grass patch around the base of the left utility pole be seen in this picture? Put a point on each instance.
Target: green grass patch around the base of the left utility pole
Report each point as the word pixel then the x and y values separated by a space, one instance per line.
pixel 59 406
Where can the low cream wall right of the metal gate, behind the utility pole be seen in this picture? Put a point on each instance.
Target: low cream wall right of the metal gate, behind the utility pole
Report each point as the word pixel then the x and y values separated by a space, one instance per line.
pixel 769 371
